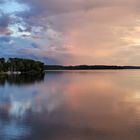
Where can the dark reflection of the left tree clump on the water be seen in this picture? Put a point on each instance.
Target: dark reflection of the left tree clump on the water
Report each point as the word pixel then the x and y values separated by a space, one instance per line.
pixel 21 79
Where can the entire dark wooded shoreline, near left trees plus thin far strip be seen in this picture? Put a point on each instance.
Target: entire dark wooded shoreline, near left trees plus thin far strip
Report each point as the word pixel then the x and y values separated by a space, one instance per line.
pixel 29 66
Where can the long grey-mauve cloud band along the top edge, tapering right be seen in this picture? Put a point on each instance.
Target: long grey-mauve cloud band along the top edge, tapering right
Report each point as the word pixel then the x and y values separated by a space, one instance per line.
pixel 54 7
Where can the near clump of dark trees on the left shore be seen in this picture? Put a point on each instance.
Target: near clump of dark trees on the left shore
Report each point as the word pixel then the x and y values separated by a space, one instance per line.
pixel 20 65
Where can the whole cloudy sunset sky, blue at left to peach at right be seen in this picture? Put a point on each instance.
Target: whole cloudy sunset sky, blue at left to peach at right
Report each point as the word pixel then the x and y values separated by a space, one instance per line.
pixel 71 32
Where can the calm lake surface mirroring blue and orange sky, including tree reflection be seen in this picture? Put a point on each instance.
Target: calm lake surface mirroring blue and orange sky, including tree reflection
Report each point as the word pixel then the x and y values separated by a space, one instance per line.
pixel 91 105
